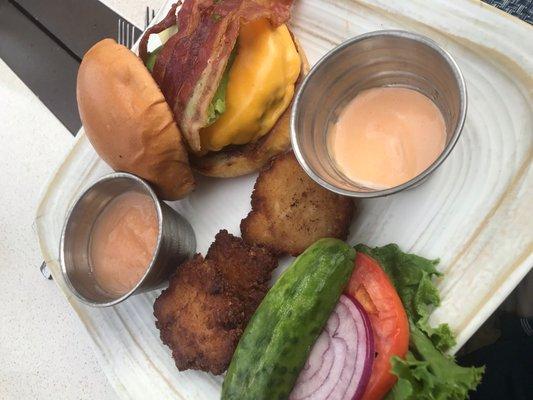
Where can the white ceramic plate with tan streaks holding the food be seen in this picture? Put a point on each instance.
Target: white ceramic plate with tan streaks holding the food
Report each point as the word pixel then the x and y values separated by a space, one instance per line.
pixel 474 213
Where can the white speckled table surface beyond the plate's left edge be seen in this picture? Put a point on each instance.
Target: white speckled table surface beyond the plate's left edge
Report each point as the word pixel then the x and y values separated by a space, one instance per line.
pixel 45 352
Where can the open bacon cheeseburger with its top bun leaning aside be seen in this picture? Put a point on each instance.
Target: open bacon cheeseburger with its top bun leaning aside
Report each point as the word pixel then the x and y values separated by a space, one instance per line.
pixel 212 95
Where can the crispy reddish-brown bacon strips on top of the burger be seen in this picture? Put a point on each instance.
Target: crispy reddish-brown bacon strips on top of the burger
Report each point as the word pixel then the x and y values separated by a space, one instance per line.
pixel 190 65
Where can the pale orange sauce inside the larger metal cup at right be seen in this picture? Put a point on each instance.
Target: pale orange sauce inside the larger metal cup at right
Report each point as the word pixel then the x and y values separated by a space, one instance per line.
pixel 387 136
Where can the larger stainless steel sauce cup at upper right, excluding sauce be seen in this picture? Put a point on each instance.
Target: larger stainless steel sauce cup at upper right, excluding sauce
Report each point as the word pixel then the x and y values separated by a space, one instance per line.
pixel 375 59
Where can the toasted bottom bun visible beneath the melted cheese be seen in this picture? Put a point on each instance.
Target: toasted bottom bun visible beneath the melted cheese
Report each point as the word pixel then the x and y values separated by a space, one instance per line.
pixel 244 159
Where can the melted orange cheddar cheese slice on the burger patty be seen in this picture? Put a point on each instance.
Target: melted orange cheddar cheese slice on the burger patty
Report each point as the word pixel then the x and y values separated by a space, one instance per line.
pixel 260 87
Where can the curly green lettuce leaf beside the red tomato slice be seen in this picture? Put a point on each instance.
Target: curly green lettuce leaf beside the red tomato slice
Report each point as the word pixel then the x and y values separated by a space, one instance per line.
pixel 426 373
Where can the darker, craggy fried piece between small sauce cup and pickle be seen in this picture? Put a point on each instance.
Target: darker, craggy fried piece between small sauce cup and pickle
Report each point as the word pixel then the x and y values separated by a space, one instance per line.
pixel 208 303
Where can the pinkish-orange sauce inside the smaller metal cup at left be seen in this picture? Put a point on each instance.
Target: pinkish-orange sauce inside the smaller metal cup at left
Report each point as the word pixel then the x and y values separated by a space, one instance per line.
pixel 123 241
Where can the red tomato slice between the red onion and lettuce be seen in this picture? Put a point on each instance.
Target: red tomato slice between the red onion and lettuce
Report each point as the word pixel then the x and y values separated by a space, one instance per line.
pixel 370 285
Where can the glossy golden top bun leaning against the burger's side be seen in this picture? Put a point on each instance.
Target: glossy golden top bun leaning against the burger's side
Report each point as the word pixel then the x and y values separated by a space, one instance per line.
pixel 128 121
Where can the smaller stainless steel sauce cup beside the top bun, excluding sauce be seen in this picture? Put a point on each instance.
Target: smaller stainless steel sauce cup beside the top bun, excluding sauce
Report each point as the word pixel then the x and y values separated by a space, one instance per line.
pixel 175 241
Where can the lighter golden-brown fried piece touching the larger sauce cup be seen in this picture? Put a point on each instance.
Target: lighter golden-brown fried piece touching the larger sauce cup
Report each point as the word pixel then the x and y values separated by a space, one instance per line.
pixel 290 211
